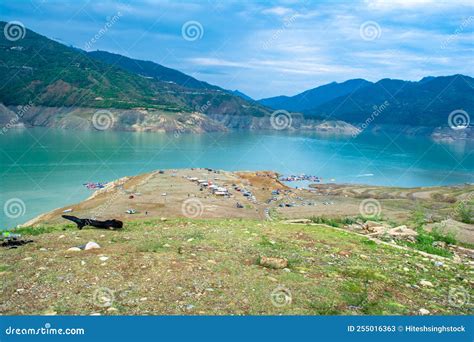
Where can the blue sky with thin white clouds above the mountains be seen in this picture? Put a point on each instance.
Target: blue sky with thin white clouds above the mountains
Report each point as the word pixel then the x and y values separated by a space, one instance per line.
pixel 268 48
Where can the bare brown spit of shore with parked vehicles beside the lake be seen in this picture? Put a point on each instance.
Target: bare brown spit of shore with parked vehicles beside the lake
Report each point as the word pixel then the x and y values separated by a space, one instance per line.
pixel 259 195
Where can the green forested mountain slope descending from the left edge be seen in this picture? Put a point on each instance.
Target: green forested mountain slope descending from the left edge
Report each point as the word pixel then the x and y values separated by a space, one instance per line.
pixel 44 72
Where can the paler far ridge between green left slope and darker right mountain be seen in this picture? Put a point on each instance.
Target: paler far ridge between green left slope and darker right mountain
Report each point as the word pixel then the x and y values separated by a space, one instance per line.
pixel 312 98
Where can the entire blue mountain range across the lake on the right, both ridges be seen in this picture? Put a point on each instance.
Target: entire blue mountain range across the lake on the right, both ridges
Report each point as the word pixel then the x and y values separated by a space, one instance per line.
pixel 425 103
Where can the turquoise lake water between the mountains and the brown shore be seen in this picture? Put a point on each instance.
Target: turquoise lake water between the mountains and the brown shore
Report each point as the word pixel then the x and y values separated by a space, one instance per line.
pixel 46 168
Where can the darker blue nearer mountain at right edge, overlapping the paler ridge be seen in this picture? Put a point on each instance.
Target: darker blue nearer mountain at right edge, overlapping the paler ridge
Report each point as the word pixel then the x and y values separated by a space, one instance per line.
pixel 425 103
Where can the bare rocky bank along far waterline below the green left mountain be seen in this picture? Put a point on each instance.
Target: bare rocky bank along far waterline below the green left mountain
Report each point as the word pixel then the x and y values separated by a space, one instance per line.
pixel 145 120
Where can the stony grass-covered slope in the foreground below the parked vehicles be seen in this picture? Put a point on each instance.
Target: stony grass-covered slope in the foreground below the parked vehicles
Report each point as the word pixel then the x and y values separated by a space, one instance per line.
pixel 211 267
